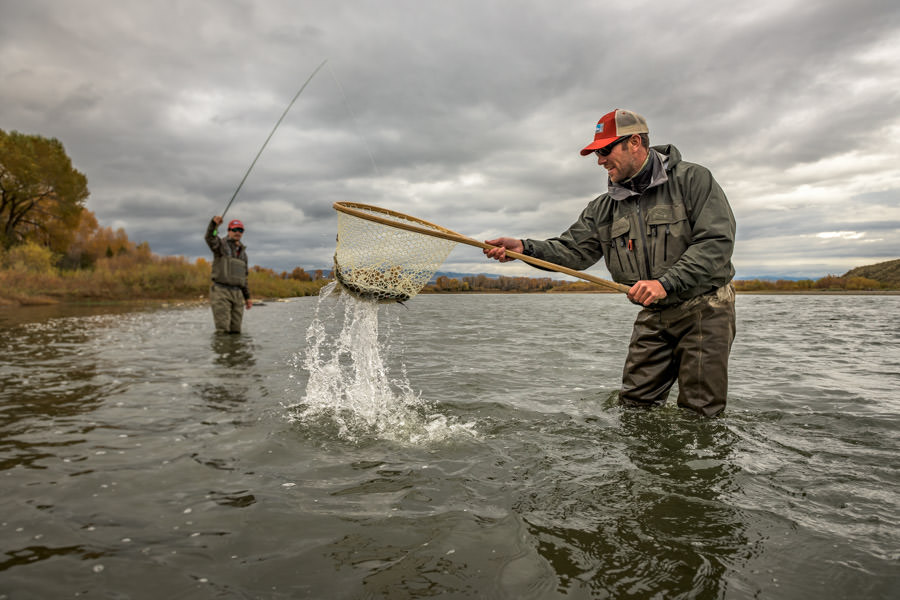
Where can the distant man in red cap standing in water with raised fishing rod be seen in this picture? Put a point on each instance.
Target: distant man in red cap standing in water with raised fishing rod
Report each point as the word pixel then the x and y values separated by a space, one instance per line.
pixel 228 294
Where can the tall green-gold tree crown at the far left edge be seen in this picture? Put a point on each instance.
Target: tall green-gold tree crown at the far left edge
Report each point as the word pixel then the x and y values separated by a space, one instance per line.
pixel 41 194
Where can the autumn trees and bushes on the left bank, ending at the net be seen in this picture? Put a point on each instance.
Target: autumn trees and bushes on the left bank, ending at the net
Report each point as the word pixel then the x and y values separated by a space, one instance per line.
pixel 52 247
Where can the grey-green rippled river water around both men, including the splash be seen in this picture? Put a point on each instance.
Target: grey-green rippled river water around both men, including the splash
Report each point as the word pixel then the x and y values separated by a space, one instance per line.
pixel 464 446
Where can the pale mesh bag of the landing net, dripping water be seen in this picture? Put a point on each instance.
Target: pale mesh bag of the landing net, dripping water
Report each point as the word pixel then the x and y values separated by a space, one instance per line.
pixel 379 262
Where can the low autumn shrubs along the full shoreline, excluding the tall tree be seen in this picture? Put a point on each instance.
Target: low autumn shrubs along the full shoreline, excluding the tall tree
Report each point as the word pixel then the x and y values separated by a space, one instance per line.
pixel 31 275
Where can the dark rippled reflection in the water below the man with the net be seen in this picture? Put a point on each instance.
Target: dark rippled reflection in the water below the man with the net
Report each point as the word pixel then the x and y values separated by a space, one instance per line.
pixel 640 509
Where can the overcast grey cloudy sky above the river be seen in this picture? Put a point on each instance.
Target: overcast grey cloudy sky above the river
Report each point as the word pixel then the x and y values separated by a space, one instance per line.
pixel 468 114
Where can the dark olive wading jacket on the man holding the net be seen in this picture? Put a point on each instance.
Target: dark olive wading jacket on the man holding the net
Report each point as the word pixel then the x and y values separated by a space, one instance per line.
pixel 679 230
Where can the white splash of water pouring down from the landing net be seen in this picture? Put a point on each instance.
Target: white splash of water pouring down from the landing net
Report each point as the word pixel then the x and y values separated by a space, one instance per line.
pixel 349 386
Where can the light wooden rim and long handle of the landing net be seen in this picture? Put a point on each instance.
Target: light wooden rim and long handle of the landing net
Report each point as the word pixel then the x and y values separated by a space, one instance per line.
pixel 360 210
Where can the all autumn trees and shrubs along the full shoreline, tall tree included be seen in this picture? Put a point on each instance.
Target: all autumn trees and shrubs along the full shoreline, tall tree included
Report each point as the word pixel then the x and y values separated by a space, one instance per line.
pixel 53 250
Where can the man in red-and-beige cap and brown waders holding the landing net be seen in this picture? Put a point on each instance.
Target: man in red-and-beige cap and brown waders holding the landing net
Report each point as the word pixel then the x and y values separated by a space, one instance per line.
pixel 665 228
